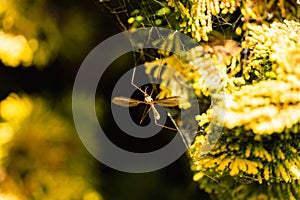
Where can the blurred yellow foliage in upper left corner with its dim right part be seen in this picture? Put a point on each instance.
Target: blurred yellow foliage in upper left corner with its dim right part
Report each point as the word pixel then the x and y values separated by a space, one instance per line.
pixel 33 33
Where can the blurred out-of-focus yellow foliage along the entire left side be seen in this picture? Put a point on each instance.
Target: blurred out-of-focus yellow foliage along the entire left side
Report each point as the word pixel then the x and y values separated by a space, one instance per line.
pixel 41 156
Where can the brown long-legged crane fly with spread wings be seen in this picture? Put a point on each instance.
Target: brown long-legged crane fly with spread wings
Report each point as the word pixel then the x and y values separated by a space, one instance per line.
pixel 148 100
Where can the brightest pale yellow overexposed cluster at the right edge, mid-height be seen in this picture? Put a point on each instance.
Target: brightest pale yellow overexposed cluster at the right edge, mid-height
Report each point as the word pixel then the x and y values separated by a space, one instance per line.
pixel 270 107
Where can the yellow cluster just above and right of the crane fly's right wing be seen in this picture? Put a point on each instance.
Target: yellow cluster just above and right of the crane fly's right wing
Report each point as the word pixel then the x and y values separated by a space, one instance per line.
pixel 173 84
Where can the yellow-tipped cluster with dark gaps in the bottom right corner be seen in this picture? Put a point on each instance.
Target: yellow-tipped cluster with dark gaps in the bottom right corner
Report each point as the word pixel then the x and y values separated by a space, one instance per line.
pixel 246 166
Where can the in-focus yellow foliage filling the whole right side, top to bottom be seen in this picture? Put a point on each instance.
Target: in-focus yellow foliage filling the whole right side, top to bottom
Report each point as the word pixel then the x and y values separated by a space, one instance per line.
pixel 257 156
